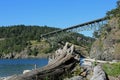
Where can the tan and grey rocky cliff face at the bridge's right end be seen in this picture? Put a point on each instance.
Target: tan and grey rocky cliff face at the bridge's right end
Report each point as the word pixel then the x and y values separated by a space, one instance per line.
pixel 107 46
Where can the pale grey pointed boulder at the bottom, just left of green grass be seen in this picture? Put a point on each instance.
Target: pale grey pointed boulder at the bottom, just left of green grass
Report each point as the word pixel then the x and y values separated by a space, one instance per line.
pixel 99 74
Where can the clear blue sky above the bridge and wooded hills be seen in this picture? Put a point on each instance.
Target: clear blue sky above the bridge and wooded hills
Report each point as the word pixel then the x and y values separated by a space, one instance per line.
pixel 53 13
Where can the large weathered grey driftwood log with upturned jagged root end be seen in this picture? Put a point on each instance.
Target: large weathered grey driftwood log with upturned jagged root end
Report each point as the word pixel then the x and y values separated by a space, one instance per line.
pixel 62 62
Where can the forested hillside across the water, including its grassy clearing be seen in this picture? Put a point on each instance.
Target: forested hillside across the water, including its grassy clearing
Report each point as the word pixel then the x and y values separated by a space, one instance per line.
pixel 25 40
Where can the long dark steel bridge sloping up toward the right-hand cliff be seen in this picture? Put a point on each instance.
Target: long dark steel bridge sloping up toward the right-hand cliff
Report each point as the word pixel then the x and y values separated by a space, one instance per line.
pixel 80 27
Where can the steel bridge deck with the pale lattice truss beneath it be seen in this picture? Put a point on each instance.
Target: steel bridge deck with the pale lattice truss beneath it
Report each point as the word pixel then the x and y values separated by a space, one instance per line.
pixel 87 26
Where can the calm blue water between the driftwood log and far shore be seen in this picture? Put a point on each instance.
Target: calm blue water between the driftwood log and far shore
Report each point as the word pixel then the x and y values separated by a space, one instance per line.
pixel 16 66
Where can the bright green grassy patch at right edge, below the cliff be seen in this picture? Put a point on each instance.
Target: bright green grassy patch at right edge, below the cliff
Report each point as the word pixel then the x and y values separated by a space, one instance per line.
pixel 112 69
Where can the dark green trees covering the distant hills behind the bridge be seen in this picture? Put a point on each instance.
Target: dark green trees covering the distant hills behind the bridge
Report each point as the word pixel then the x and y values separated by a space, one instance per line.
pixel 16 38
